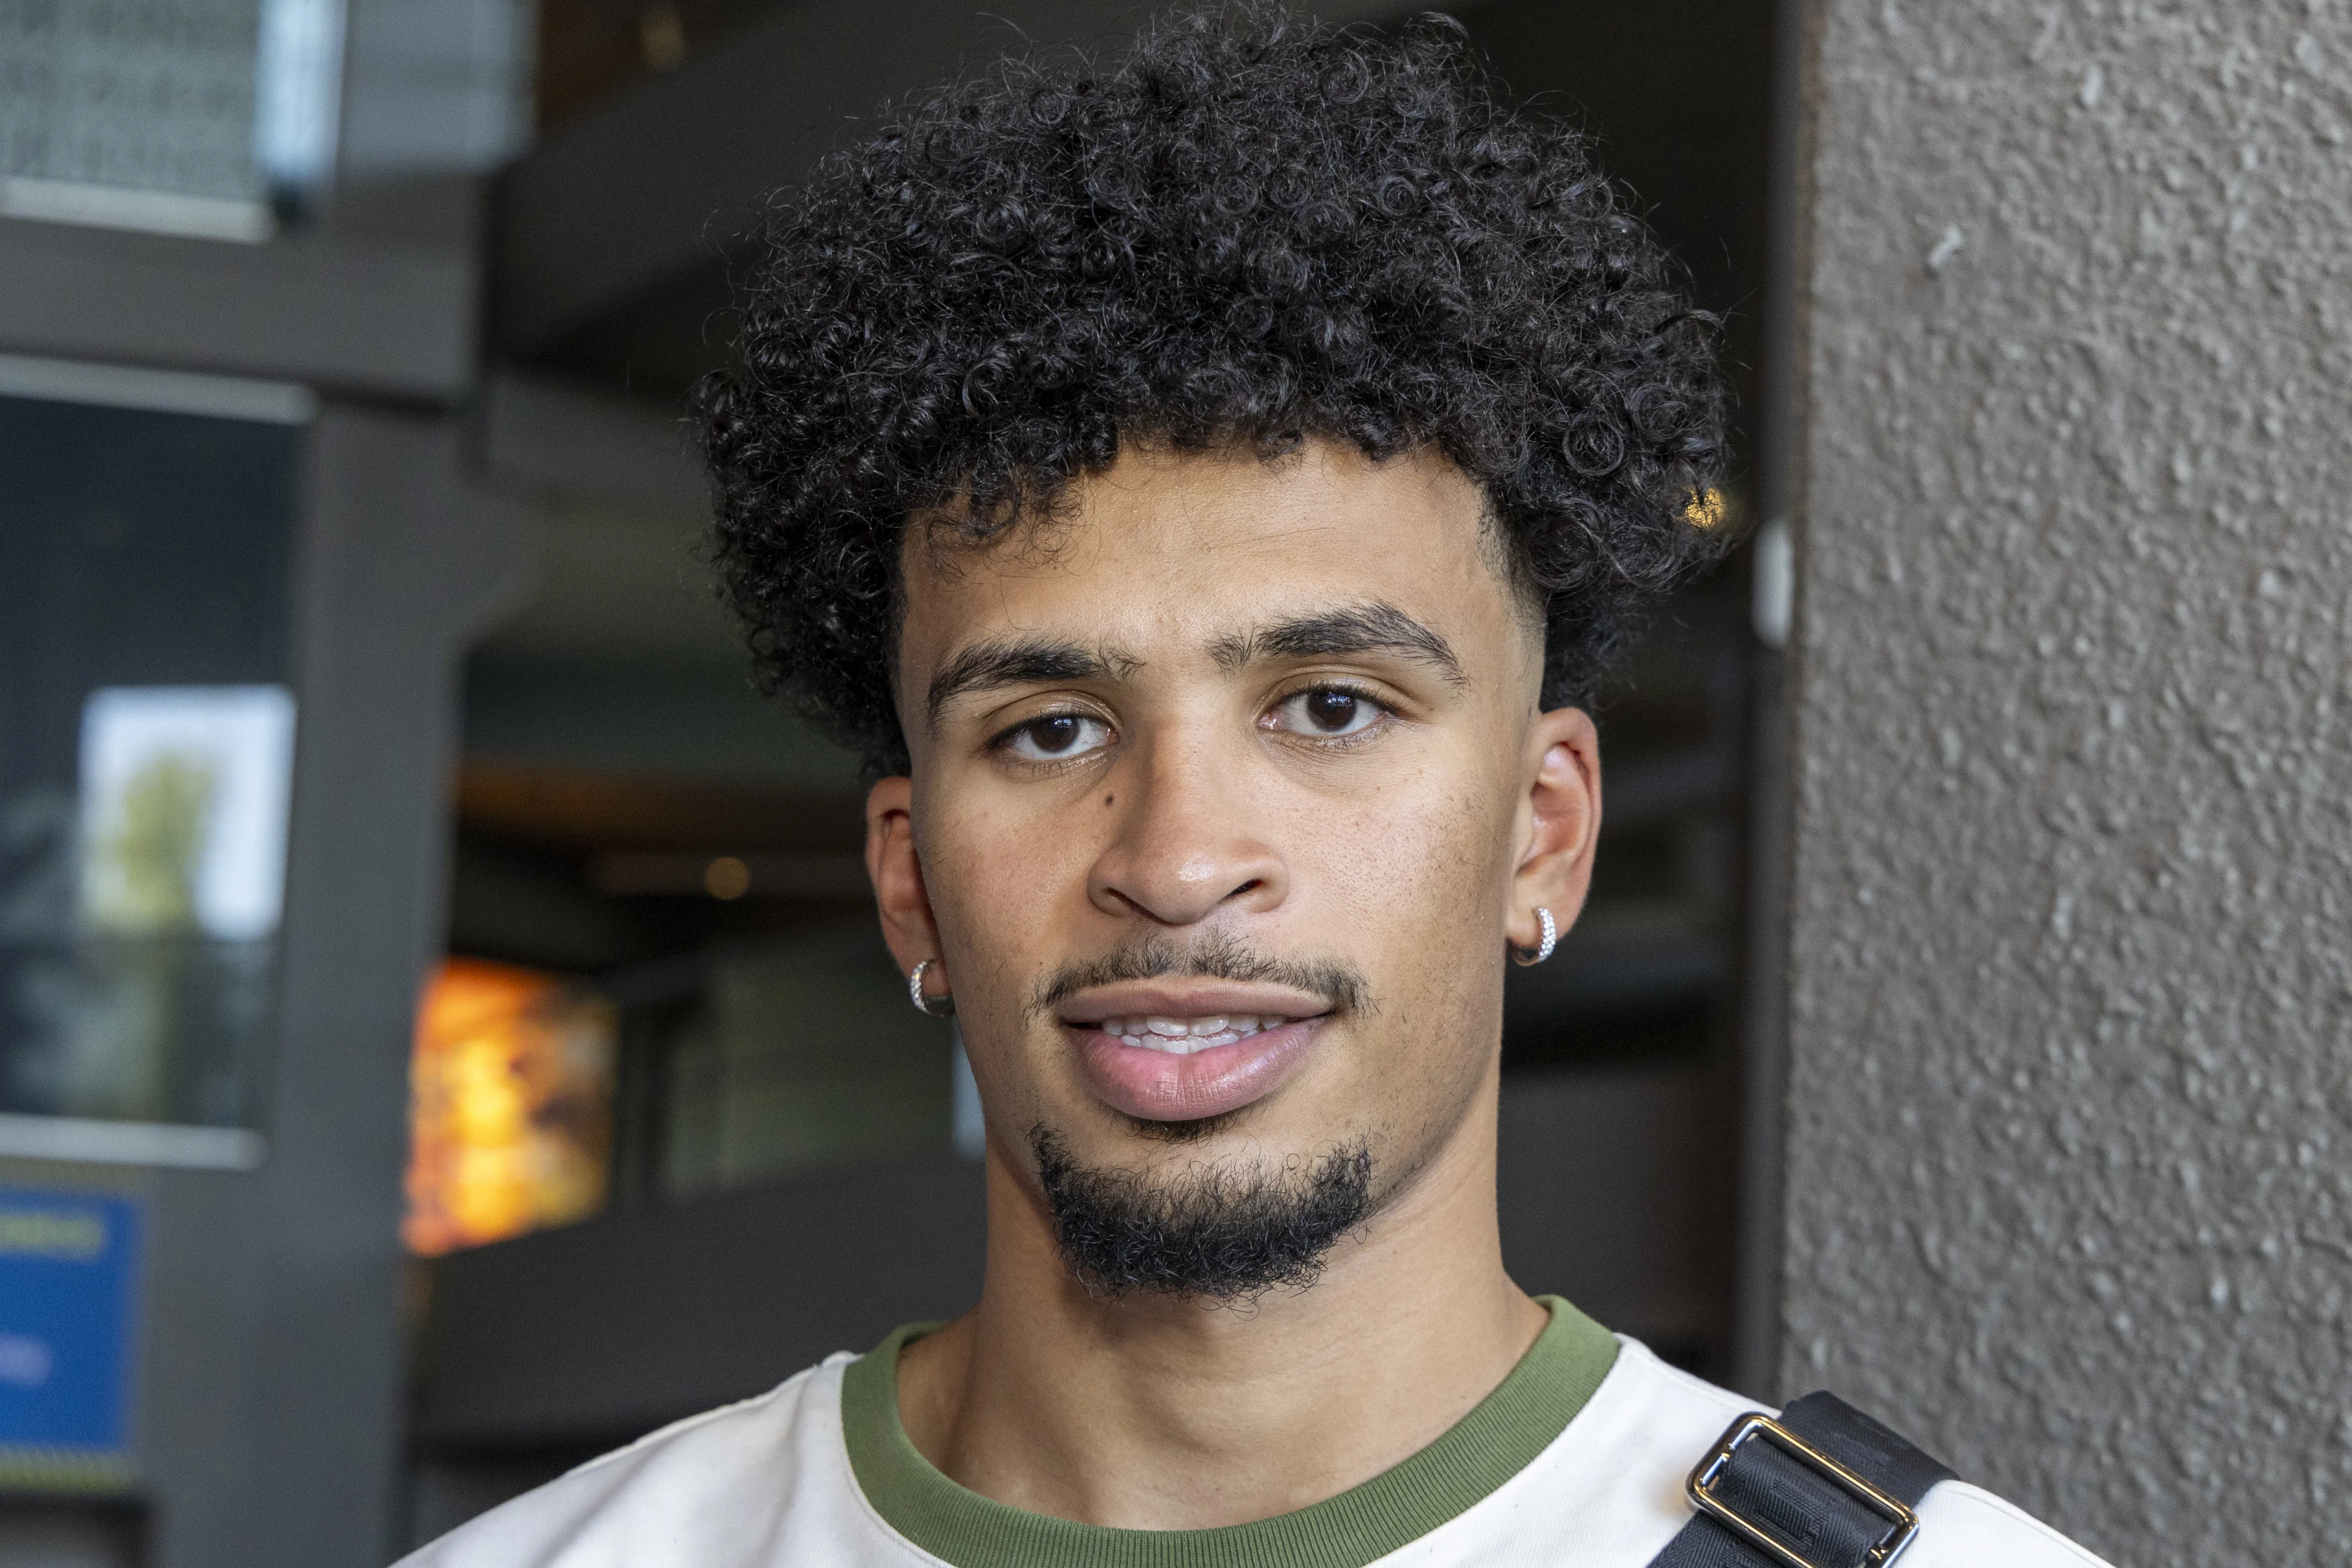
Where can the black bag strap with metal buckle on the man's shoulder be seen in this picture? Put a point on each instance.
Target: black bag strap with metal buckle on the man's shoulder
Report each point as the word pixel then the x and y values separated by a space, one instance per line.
pixel 1822 1487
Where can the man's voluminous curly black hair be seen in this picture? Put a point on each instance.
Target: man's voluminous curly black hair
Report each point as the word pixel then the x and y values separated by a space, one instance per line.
pixel 1248 232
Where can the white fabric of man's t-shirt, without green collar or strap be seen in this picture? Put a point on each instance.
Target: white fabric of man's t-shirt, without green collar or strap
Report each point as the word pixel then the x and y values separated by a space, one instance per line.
pixel 770 1482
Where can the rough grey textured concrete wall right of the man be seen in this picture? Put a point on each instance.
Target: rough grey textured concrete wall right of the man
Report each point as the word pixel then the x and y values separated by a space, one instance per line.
pixel 2071 1146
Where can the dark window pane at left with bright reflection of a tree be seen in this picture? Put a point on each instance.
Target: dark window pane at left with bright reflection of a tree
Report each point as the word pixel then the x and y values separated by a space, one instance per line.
pixel 147 746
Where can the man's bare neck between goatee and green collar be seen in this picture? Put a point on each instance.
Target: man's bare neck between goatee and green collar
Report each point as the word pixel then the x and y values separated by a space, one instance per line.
pixel 1172 1414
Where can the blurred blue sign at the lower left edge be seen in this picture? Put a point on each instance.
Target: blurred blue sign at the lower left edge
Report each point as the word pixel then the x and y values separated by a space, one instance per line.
pixel 69 1318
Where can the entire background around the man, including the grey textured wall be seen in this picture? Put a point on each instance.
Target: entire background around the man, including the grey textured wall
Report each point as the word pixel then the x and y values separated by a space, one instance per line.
pixel 443 1026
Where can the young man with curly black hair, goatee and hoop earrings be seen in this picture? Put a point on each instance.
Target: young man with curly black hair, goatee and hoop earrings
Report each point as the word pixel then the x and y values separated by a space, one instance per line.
pixel 1210 490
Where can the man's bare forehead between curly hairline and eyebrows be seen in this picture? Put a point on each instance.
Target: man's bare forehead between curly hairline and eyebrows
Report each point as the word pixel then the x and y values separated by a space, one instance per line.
pixel 1170 551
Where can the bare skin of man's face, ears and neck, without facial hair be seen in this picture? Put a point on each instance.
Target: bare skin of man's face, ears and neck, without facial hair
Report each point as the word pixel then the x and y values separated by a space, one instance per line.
pixel 1187 791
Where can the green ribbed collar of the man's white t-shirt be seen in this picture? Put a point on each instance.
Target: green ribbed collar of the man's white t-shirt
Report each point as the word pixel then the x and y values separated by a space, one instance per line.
pixel 1365 1522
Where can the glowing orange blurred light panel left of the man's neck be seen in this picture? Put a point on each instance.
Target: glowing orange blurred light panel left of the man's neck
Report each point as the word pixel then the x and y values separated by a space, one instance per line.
pixel 509 1106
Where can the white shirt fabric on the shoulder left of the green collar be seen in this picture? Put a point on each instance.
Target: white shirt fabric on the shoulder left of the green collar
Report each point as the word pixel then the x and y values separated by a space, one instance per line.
pixel 697 1494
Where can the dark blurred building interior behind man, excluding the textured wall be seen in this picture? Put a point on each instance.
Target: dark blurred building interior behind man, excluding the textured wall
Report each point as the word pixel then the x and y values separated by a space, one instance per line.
pixel 443 1026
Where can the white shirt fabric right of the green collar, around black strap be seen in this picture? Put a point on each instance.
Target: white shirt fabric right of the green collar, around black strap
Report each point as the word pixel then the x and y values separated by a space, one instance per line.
pixel 1617 1477
